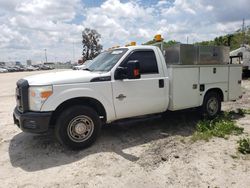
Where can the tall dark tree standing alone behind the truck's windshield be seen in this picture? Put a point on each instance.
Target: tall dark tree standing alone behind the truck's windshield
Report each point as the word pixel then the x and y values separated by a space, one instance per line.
pixel 90 42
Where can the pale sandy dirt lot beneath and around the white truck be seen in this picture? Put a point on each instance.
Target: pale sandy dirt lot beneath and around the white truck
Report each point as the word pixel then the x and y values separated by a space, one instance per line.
pixel 153 152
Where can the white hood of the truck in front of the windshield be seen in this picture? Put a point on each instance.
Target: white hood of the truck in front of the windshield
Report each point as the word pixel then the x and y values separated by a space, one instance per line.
pixel 64 77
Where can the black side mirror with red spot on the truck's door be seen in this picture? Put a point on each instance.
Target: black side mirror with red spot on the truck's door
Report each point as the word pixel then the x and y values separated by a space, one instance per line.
pixel 133 69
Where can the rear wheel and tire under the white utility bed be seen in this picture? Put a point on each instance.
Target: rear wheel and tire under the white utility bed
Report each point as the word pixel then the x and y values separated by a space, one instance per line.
pixel 211 106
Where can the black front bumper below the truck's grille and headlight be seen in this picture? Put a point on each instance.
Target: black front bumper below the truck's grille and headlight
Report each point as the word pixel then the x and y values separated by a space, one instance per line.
pixel 34 122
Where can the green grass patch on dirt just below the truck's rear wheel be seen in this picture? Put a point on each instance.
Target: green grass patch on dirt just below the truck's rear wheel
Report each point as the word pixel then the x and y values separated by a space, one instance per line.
pixel 222 126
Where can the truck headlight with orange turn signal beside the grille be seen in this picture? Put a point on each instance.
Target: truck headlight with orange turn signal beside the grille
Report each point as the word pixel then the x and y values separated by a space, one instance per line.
pixel 38 95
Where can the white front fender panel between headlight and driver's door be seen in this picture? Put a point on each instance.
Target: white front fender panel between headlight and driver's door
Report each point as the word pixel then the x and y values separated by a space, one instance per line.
pixel 99 91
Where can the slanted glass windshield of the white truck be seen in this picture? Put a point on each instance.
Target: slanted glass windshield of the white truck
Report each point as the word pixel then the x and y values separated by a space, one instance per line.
pixel 106 60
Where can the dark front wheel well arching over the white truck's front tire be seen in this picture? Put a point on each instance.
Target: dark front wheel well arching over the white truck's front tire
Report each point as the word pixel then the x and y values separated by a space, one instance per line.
pixel 87 101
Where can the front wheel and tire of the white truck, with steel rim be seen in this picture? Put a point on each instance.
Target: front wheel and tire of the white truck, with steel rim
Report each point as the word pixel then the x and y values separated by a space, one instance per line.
pixel 78 127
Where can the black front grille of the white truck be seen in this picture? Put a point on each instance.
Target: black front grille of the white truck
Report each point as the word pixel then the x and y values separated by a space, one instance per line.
pixel 22 95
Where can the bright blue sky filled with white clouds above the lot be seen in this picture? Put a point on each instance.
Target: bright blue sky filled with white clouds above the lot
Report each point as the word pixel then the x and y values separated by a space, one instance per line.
pixel 28 27
